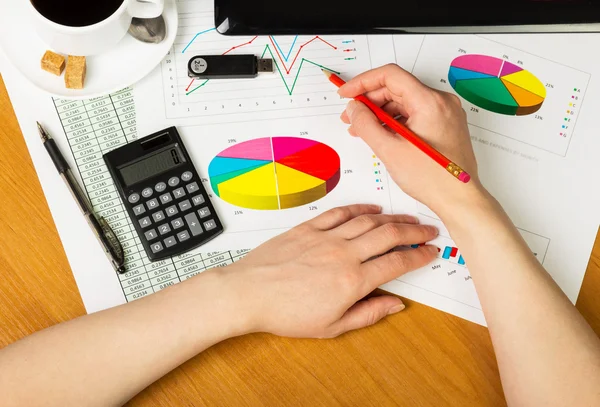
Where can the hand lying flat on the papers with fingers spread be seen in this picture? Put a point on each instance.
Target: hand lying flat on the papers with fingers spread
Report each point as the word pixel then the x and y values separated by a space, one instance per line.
pixel 309 281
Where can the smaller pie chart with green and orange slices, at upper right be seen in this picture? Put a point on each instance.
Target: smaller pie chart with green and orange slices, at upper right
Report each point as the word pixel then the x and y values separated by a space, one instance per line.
pixel 496 85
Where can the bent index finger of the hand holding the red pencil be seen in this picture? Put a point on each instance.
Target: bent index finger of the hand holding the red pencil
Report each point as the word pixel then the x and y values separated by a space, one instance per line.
pixel 391 76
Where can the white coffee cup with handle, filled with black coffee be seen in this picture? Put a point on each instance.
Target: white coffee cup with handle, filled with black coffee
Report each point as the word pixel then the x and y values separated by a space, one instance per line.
pixel 96 38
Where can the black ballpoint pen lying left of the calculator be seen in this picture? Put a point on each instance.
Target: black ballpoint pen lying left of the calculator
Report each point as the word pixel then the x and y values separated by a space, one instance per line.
pixel 103 232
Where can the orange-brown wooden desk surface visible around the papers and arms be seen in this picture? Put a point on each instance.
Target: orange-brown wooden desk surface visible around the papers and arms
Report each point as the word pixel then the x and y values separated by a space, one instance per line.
pixel 420 357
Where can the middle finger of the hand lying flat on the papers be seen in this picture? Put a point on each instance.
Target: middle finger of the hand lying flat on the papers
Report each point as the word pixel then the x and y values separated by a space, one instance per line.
pixel 386 237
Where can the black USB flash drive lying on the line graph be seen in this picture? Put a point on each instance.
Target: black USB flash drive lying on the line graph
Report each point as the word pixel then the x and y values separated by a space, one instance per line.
pixel 228 66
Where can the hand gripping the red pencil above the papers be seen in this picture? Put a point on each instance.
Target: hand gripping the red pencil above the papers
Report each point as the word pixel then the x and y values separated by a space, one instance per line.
pixel 435 116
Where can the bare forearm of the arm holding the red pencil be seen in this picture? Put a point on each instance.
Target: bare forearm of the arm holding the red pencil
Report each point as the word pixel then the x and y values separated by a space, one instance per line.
pixel 535 329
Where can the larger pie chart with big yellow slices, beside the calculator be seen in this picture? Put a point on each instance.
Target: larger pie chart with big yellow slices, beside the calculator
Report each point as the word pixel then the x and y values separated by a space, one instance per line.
pixel 274 172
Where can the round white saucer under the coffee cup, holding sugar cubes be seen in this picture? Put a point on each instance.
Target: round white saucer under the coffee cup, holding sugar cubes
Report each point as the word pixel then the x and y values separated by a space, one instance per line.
pixel 128 62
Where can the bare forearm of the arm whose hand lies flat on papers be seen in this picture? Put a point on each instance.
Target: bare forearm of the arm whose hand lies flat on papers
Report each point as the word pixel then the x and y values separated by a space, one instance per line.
pixel 106 358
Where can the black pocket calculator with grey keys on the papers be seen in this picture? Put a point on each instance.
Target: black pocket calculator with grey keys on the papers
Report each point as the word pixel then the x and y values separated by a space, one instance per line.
pixel 163 194
